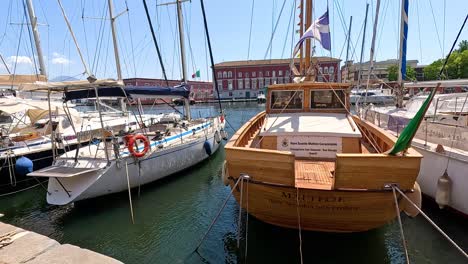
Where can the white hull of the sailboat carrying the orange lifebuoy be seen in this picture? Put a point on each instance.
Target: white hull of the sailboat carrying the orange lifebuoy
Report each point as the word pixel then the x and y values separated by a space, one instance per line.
pixel 112 177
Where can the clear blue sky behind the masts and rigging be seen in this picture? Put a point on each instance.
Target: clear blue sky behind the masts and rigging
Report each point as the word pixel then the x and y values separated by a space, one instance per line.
pixel 433 25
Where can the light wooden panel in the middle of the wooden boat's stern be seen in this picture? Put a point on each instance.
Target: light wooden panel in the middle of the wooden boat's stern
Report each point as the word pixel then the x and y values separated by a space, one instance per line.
pixel 314 174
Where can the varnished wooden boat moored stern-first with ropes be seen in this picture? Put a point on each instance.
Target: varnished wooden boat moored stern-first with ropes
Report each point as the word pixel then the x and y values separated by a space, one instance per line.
pixel 312 165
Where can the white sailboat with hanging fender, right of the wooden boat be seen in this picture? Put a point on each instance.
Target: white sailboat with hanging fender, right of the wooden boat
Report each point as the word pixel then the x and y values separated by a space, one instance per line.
pixel 441 138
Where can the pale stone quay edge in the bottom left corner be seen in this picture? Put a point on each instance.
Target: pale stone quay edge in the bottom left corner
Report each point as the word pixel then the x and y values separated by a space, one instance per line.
pixel 22 246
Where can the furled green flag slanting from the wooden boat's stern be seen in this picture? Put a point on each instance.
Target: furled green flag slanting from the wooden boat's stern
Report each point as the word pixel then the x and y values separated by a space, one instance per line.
pixel 406 136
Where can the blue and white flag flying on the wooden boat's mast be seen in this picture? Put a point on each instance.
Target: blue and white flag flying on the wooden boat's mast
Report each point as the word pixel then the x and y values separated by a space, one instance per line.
pixel 319 30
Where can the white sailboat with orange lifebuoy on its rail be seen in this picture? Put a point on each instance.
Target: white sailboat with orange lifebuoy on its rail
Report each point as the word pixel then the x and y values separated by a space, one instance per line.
pixel 119 163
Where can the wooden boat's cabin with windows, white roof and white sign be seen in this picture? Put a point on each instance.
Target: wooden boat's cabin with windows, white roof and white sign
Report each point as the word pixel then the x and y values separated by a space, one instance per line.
pixel 310 120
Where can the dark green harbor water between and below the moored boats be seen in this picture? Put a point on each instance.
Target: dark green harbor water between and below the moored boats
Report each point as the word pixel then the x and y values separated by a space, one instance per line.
pixel 172 215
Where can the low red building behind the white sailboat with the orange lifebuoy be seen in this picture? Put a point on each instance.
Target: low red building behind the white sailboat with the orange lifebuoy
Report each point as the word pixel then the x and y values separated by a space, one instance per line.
pixel 199 91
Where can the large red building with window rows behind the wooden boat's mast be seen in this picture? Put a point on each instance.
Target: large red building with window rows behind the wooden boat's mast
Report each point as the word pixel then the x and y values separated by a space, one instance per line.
pixel 246 79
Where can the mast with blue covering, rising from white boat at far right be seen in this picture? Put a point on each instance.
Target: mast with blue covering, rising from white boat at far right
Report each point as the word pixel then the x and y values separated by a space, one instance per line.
pixel 402 55
